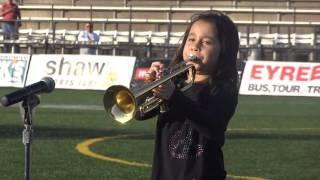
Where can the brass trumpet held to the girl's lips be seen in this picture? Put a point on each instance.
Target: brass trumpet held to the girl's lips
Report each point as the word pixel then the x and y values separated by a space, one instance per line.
pixel 121 103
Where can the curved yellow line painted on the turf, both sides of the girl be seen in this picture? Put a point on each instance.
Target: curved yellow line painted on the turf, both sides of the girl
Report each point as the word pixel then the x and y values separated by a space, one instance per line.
pixel 84 149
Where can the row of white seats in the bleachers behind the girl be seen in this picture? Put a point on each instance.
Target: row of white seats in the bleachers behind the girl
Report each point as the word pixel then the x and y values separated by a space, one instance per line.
pixel 35 40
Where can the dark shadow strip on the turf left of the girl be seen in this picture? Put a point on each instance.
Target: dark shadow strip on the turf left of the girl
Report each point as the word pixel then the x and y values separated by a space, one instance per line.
pixel 11 131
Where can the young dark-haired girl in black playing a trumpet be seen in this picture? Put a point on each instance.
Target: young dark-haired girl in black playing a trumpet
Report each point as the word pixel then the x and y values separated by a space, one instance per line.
pixel 191 133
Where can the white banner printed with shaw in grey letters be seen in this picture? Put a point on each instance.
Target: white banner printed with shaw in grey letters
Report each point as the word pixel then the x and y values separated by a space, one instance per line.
pixel 82 71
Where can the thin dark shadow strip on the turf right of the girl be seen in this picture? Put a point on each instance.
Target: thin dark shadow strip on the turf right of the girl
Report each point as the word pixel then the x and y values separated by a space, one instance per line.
pixel 274 135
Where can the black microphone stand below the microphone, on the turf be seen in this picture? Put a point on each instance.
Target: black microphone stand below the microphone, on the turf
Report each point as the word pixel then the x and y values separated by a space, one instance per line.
pixel 28 104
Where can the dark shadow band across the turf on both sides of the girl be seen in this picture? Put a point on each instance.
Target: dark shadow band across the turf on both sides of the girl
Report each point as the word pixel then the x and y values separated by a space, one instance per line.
pixel 41 132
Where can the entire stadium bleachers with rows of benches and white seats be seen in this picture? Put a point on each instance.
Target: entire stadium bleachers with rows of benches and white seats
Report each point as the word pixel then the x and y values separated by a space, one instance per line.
pixel 53 27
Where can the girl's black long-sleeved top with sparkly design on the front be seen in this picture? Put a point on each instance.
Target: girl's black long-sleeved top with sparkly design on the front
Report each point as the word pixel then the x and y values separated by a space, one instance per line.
pixel 190 135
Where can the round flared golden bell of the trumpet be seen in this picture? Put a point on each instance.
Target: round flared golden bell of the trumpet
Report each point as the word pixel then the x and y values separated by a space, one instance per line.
pixel 120 103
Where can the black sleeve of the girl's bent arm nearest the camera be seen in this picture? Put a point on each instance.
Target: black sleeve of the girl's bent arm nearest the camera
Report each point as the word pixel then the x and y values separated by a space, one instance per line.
pixel 211 115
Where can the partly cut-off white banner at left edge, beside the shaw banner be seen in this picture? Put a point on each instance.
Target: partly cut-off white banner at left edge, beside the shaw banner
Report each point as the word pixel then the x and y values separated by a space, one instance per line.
pixel 13 69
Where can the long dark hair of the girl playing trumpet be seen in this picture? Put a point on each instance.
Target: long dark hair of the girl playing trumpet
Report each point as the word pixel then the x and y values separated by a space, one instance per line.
pixel 225 70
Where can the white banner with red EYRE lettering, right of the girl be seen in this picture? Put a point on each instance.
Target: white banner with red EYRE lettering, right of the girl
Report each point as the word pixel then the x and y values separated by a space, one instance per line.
pixel 281 79
